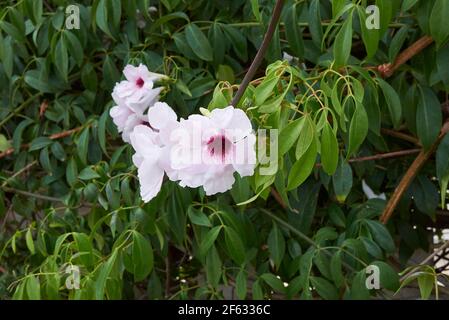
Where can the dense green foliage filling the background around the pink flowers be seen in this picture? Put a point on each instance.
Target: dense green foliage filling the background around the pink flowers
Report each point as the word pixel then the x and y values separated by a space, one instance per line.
pixel 304 229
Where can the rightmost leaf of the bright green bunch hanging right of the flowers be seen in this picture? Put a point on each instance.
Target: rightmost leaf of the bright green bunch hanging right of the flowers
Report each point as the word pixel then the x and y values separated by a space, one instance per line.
pixel 358 129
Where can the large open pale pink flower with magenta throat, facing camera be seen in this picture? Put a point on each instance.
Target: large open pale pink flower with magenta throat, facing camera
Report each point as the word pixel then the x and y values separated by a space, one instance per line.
pixel 206 151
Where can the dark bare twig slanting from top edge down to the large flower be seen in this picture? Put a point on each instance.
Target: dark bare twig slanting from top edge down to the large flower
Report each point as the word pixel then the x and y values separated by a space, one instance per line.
pixel 260 53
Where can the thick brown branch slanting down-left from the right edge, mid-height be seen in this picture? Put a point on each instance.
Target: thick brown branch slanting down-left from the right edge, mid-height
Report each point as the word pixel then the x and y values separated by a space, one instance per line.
pixel 407 179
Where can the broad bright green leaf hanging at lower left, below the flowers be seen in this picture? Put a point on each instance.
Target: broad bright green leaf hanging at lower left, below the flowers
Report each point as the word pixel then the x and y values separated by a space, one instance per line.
pixel 142 256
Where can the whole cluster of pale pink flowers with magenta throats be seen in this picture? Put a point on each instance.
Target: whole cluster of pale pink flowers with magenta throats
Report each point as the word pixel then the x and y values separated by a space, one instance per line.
pixel 200 151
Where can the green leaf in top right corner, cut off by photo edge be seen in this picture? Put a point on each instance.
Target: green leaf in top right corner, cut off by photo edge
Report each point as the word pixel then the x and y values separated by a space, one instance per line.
pixel 438 24
